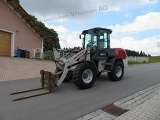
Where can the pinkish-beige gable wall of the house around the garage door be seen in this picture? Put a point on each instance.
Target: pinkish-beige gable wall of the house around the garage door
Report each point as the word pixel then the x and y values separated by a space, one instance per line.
pixel 23 36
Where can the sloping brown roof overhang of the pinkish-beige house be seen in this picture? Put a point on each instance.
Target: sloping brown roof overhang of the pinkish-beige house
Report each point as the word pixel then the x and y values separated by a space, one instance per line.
pixel 16 7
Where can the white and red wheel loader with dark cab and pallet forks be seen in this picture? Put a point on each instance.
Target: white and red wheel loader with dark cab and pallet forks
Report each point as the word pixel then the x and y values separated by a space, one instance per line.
pixel 84 65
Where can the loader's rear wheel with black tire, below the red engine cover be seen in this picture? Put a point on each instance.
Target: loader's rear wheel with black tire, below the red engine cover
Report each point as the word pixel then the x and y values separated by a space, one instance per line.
pixel 117 73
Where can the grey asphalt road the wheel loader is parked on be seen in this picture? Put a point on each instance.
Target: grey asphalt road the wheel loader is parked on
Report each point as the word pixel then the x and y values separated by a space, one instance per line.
pixel 67 102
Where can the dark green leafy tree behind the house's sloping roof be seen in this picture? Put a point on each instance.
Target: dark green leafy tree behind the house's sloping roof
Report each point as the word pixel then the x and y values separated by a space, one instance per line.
pixel 52 34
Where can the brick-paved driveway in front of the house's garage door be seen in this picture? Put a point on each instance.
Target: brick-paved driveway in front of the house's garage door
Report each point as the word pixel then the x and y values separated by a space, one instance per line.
pixel 12 68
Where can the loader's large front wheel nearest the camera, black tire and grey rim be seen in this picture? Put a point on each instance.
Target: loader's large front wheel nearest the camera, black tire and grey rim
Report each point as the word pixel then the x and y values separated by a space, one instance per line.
pixel 84 75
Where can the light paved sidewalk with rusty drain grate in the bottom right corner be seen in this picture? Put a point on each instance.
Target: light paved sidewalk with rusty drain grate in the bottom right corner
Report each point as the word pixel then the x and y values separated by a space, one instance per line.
pixel 143 105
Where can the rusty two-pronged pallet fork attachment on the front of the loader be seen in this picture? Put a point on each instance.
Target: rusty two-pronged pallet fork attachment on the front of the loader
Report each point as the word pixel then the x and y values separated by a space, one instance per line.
pixel 45 80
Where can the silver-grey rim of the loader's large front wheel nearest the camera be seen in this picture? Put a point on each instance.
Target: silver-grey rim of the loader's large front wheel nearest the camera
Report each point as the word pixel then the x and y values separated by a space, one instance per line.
pixel 87 76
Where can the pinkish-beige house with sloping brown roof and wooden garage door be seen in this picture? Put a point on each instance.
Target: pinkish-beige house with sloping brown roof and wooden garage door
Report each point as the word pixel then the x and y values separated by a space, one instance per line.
pixel 18 30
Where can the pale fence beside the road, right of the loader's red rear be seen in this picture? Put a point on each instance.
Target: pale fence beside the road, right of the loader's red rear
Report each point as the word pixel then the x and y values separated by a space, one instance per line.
pixel 138 59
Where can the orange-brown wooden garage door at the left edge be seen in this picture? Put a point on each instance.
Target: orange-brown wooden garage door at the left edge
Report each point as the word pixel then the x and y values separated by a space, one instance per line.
pixel 5 43
